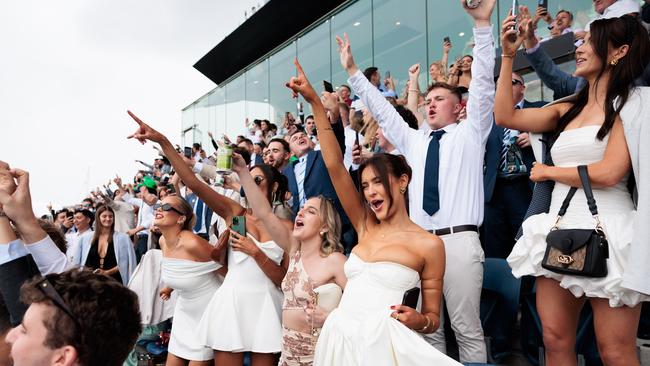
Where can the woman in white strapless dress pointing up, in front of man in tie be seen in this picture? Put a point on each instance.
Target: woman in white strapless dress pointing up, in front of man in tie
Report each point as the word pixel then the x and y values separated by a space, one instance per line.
pixel 394 255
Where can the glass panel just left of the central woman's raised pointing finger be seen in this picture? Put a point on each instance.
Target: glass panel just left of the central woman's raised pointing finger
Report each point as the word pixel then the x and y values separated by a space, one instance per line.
pixel 282 70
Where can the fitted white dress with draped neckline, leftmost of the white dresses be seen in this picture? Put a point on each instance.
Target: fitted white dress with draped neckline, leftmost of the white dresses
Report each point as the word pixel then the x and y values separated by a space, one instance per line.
pixel 195 283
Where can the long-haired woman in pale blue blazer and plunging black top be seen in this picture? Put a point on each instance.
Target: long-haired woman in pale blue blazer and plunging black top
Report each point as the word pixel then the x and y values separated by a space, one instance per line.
pixel 107 251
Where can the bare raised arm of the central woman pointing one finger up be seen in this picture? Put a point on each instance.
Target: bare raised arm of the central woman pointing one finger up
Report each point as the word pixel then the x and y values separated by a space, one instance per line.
pixel 332 155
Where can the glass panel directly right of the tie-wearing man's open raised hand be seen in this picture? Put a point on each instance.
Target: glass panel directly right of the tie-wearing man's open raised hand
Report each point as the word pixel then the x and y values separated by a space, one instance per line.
pixel 400 38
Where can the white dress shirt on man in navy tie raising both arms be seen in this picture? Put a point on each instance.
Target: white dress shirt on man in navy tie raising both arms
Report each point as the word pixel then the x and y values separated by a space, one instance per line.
pixel 462 147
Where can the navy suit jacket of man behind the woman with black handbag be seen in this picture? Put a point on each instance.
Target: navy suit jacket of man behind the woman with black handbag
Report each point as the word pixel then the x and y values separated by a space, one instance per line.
pixel 493 155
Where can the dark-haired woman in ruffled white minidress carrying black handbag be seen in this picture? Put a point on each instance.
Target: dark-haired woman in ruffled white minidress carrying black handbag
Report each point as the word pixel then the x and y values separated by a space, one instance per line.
pixel 589 132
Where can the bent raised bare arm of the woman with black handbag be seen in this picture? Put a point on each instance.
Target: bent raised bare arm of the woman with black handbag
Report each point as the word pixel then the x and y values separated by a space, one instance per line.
pixel 528 119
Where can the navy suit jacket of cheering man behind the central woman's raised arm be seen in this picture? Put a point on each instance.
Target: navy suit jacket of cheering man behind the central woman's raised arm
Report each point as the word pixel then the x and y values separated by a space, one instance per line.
pixel 317 180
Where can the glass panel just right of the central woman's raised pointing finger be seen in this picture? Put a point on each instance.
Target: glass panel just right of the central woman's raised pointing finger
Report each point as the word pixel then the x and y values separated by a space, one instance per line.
pixel 314 56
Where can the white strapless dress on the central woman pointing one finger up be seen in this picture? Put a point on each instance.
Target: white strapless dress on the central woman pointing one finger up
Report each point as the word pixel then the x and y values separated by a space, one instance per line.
pixel 361 332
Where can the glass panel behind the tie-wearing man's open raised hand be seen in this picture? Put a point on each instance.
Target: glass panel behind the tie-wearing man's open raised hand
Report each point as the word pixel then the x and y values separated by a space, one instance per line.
pixel 356 22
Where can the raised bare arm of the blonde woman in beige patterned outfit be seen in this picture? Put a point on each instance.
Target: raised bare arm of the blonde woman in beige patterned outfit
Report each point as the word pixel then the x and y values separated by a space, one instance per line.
pixel 280 233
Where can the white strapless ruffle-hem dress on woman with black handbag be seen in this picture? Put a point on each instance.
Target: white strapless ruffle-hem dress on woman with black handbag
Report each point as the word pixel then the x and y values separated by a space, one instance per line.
pixel 615 209
